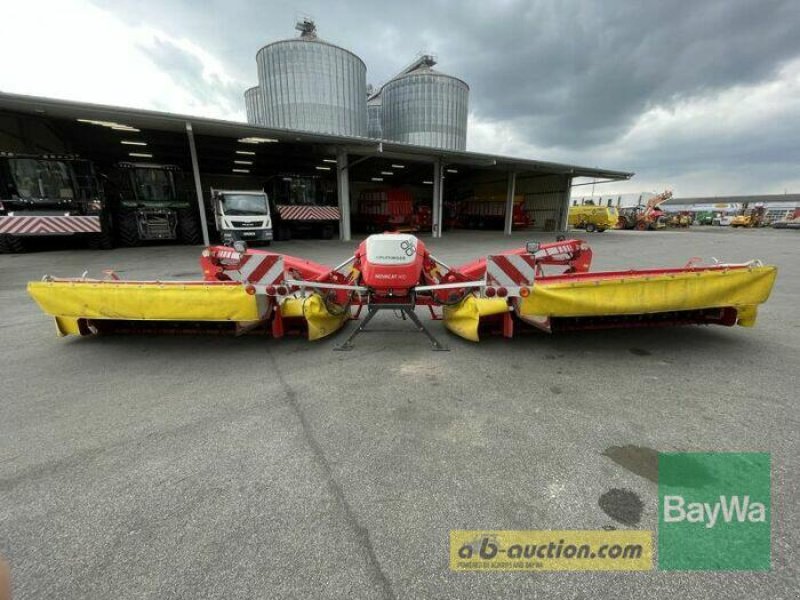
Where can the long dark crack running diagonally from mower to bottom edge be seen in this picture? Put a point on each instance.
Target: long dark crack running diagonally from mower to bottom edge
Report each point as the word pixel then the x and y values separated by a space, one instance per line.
pixel 378 577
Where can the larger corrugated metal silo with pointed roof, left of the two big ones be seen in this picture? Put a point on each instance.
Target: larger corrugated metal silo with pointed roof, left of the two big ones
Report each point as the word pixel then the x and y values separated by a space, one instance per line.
pixel 309 84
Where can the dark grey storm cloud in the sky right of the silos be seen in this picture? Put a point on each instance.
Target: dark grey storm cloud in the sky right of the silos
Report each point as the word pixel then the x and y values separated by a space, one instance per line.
pixel 583 73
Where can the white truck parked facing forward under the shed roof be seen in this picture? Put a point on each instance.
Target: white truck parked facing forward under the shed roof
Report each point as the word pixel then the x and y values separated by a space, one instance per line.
pixel 242 215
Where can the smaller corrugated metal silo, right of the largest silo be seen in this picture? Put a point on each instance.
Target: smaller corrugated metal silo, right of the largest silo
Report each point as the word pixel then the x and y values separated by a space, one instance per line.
pixel 426 107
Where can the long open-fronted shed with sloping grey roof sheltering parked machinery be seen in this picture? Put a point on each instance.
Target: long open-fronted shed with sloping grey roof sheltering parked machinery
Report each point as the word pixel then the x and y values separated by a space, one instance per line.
pixel 211 150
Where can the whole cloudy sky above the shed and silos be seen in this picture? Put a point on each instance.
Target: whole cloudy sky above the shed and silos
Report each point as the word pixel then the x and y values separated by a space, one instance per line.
pixel 700 96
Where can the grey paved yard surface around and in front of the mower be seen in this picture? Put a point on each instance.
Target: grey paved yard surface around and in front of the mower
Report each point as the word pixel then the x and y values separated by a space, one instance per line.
pixel 220 467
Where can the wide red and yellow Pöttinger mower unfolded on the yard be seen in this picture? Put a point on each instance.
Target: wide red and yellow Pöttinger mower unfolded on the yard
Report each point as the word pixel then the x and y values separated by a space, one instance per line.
pixel 546 286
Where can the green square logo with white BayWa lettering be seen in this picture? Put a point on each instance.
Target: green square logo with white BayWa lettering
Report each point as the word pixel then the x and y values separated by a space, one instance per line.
pixel 714 511
